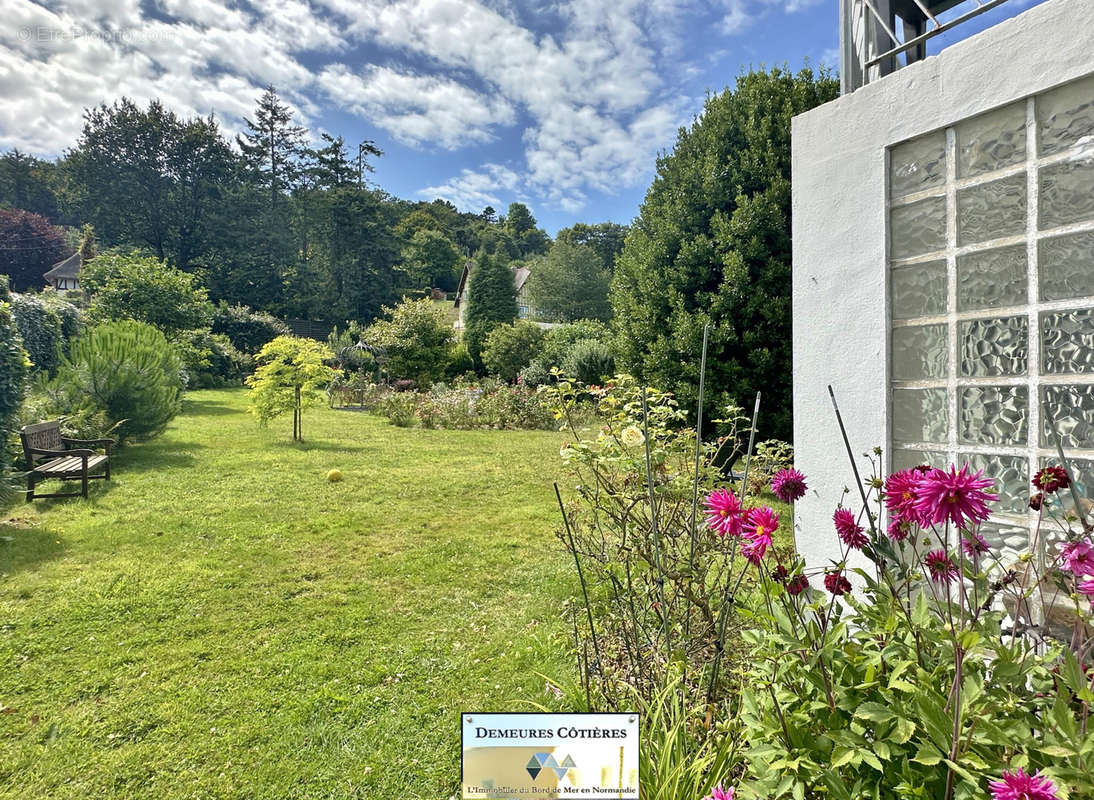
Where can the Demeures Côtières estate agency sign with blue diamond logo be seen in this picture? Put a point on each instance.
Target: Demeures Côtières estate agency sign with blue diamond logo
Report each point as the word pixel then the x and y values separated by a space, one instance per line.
pixel 525 757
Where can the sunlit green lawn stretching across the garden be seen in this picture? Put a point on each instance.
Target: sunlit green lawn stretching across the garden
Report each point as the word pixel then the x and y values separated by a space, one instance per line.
pixel 222 622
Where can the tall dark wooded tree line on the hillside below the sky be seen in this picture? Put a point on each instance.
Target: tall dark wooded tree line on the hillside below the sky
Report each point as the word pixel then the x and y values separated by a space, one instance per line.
pixel 273 221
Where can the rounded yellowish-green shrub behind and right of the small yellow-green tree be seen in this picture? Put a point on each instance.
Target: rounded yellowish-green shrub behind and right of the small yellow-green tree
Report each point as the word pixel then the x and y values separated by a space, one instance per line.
pixel 416 340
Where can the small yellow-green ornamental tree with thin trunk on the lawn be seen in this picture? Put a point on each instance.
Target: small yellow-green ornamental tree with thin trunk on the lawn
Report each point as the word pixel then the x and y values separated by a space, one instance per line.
pixel 292 376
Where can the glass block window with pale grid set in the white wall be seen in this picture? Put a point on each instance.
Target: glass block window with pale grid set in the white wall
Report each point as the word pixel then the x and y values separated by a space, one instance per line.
pixel 992 297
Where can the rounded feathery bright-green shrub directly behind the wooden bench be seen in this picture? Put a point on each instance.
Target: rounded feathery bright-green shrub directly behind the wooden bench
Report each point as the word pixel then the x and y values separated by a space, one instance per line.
pixel 126 370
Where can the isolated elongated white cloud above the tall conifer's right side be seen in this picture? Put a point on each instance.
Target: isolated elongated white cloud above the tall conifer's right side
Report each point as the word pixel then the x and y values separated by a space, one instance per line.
pixel 417 110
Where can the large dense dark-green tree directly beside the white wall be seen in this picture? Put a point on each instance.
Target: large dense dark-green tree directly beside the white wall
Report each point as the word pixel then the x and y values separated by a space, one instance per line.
pixel 713 245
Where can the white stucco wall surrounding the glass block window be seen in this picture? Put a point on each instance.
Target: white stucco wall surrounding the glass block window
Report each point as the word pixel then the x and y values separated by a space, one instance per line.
pixel 841 298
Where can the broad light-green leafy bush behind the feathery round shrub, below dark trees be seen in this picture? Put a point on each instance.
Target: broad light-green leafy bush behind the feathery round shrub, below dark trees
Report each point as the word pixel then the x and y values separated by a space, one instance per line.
pixel 133 287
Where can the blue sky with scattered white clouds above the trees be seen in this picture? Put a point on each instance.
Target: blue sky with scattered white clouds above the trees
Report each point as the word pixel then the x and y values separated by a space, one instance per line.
pixel 561 105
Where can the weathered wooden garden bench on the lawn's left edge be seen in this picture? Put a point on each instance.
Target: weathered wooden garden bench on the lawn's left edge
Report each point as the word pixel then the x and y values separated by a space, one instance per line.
pixel 50 456
